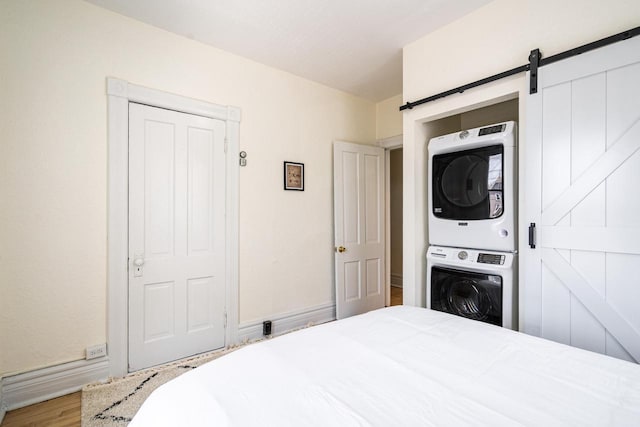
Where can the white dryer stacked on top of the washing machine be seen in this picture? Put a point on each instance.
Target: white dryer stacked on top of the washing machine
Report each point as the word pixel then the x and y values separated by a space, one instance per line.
pixel 472 188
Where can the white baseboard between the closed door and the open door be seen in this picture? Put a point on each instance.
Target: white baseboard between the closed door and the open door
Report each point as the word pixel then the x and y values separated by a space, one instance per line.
pixel 286 322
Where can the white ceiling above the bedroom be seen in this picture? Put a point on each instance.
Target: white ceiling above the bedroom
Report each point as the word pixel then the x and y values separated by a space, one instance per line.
pixel 351 45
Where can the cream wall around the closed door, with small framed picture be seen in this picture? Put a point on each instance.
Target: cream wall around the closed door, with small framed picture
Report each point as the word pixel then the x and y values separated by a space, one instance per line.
pixel 53 170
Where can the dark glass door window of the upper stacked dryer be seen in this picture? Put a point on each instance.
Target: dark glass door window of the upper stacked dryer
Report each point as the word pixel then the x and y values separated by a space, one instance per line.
pixel 468 185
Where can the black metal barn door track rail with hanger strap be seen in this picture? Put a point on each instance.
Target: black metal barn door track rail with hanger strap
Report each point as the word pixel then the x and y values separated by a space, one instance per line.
pixel 535 61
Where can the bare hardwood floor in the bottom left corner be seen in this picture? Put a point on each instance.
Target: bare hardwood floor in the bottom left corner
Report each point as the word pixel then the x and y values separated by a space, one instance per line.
pixel 60 412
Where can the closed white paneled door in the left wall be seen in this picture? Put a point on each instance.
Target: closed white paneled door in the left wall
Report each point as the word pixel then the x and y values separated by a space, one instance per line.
pixel 176 235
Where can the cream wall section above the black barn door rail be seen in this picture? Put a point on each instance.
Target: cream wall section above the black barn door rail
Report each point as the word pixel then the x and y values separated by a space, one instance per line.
pixel 500 35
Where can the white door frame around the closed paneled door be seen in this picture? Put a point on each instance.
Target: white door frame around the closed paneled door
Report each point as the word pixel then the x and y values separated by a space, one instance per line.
pixel 119 94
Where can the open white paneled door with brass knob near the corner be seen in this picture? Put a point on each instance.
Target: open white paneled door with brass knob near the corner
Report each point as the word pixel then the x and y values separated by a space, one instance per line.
pixel 359 228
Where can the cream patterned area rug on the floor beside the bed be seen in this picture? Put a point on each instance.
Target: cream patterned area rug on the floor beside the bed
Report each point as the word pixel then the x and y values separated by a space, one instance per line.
pixel 114 403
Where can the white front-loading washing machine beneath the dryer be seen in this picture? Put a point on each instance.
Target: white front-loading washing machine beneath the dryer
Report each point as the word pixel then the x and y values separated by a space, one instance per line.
pixel 476 284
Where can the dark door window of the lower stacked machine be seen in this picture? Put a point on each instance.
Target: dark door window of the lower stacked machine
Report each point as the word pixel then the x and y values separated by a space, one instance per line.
pixel 467 294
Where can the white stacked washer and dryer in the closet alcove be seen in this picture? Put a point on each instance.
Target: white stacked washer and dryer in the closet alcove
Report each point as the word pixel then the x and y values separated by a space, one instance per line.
pixel 471 260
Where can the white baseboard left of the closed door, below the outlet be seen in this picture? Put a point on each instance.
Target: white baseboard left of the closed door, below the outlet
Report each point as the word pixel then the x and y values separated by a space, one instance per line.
pixel 37 386
